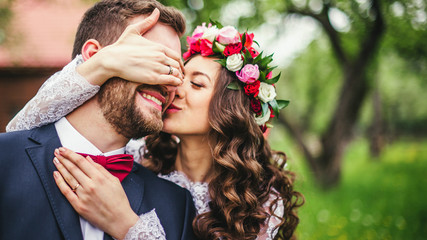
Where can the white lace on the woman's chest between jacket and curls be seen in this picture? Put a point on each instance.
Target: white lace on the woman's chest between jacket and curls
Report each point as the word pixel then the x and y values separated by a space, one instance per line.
pixel 199 190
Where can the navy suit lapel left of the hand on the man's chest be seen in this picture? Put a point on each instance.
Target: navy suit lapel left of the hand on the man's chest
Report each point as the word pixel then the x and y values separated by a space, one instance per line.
pixel 42 155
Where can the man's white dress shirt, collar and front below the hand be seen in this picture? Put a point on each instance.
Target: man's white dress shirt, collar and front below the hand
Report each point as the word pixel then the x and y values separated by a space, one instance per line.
pixel 73 140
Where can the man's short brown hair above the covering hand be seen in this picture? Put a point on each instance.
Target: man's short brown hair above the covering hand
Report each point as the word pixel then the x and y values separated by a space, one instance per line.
pixel 107 19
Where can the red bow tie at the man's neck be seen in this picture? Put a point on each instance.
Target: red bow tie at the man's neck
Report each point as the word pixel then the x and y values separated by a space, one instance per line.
pixel 119 165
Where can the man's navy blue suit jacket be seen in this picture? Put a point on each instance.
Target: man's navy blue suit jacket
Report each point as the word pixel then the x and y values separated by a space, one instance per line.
pixel 32 207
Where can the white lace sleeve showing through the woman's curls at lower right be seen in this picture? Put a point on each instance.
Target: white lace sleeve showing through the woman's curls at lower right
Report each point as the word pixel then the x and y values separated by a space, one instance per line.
pixel 269 230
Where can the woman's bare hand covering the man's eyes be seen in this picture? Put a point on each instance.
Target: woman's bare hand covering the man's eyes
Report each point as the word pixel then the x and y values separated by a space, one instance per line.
pixel 134 58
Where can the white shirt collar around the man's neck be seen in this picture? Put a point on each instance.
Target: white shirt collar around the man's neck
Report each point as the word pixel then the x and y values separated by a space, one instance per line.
pixel 73 140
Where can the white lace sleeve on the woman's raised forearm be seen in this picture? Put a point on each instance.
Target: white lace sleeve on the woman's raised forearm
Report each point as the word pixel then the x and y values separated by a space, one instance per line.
pixel 58 96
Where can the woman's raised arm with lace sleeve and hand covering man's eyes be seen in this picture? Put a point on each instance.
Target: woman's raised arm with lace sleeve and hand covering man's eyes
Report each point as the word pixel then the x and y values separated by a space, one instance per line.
pixel 131 57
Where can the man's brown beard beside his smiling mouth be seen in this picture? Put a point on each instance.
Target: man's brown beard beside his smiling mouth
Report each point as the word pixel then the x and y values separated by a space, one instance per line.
pixel 117 101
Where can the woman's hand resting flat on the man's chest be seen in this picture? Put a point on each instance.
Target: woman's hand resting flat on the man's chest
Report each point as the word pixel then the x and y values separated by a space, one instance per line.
pixel 94 193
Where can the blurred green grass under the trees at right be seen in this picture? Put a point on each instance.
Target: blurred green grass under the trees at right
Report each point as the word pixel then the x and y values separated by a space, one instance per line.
pixel 384 198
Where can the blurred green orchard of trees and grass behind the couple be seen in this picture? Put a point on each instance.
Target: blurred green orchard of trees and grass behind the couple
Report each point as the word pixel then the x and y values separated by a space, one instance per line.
pixel 355 131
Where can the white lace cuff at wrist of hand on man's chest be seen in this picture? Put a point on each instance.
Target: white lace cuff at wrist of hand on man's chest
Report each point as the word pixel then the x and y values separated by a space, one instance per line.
pixel 148 227
